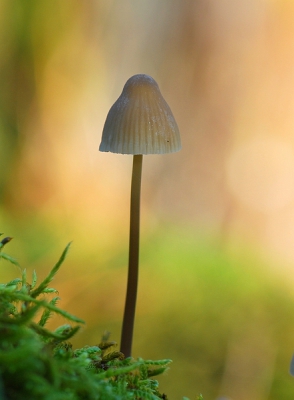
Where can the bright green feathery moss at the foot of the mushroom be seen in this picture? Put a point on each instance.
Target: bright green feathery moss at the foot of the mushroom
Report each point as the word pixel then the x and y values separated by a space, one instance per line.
pixel 36 363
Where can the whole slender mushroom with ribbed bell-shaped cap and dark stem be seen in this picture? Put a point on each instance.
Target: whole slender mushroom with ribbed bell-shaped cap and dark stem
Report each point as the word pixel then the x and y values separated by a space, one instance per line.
pixel 139 122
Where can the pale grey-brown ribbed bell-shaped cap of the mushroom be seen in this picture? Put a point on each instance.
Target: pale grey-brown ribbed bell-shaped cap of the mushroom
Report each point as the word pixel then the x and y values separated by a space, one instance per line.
pixel 140 121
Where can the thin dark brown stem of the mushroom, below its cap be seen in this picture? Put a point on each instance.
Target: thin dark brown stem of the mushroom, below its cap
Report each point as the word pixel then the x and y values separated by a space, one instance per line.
pixel 130 304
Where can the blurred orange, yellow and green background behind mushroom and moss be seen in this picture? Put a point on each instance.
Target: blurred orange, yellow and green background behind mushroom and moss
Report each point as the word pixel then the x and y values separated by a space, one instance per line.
pixel 217 241
